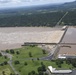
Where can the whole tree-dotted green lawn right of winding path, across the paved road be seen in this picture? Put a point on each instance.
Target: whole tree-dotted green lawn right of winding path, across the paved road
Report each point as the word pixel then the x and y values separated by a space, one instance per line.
pixel 26 61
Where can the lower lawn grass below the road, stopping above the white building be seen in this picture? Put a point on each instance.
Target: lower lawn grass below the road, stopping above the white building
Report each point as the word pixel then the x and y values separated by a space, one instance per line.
pixel 32 65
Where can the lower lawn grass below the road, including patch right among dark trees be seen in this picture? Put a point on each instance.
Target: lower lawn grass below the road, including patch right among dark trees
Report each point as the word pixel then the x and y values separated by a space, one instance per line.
pixel 33 65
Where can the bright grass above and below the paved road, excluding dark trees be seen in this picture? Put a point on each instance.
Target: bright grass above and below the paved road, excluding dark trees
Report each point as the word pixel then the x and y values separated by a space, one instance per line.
pixel 33 64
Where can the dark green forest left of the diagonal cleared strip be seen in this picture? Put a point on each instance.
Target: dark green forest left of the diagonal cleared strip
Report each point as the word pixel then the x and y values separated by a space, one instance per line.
pixel 41 19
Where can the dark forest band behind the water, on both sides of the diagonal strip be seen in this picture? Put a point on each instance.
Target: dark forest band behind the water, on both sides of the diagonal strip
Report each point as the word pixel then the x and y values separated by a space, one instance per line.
pixel 38 19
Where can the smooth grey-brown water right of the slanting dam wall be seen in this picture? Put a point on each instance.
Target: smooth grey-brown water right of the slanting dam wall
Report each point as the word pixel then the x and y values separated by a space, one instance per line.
pixel 70 36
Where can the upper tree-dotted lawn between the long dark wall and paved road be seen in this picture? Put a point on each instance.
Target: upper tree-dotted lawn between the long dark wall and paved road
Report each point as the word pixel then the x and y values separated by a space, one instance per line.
pixel 28 52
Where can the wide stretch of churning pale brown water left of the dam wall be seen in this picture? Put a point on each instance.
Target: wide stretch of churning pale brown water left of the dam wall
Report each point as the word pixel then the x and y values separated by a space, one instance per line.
pixel 16 36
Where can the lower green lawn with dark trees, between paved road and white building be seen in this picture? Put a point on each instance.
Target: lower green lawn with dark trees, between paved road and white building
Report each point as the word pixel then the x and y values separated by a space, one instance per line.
pixel 38 66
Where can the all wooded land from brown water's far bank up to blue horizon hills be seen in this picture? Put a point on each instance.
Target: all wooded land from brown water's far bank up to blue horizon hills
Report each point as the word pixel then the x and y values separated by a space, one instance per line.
pixel 39 16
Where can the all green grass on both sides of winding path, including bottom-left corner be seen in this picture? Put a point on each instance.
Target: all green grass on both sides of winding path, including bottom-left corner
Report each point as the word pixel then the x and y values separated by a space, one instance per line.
pixel 24 64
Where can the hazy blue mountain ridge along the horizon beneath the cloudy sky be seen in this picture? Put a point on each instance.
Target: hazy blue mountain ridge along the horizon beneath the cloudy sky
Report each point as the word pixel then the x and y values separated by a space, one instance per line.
pixel 63 6
